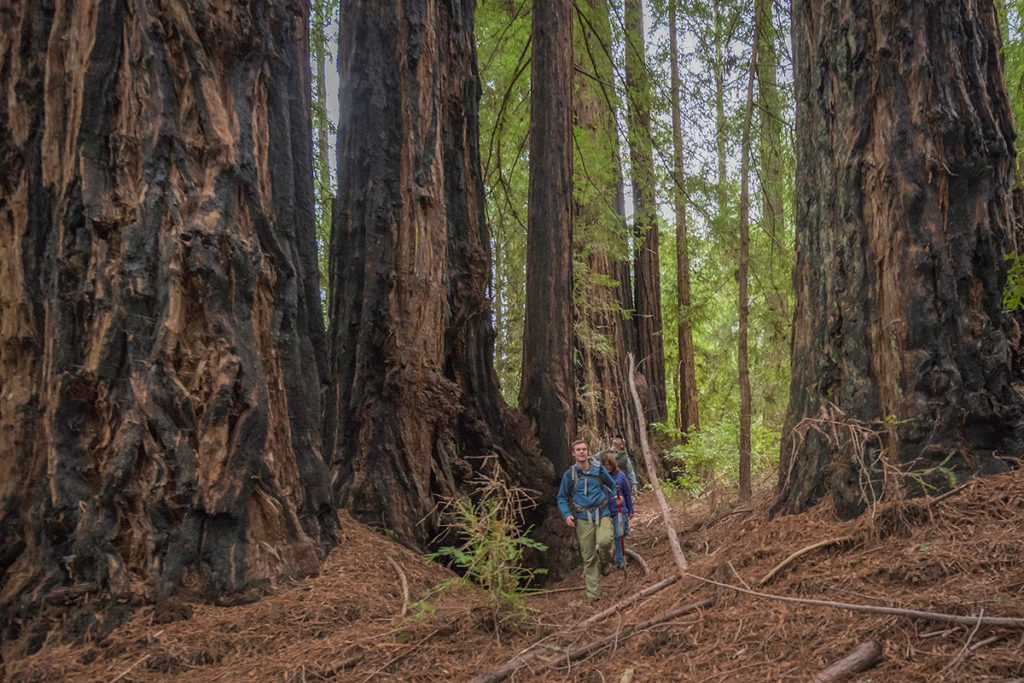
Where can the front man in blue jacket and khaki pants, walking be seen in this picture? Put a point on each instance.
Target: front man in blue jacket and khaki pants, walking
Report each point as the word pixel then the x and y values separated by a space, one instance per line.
pixel 584 505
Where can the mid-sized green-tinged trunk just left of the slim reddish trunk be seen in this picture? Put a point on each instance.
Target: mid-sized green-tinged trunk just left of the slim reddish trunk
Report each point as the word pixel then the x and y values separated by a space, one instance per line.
pixel 648 273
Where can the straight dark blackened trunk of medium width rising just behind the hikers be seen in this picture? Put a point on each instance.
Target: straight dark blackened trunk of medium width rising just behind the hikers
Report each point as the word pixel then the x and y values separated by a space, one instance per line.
pixel 547 395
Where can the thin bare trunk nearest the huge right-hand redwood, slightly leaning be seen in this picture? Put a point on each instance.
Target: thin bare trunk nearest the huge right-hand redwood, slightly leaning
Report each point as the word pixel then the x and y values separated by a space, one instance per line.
pixel 745 249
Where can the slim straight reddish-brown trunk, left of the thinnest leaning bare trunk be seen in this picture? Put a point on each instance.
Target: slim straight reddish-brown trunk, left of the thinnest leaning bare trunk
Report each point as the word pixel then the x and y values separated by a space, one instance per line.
pixel 690 417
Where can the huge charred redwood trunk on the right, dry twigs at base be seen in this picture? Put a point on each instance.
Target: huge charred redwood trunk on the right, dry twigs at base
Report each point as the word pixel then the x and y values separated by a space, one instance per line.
pixel 902 350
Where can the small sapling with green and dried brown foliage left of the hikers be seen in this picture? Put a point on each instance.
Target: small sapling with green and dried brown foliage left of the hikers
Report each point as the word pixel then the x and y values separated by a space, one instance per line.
pixel 494 547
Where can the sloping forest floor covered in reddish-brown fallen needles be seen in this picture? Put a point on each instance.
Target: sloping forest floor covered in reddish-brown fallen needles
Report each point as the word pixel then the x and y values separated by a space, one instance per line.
pixel 961 554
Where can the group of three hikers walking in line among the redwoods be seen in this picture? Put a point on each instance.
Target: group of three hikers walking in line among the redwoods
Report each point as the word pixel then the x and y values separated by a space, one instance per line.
pixel 596 499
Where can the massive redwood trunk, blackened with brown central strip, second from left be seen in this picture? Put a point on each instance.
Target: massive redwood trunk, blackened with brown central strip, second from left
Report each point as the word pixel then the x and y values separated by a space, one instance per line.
pixel 414 409
